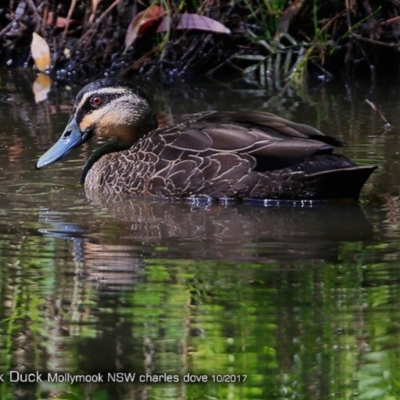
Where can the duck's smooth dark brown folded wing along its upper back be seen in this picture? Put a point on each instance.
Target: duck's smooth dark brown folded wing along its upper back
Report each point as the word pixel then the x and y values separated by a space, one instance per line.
pixel 273 141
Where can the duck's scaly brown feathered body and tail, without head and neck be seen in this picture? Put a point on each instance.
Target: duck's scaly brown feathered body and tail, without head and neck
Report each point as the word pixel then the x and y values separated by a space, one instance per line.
pixel 246 154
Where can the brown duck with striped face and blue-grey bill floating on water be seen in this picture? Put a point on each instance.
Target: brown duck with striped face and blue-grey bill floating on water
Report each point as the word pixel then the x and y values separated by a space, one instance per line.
pixel 211 154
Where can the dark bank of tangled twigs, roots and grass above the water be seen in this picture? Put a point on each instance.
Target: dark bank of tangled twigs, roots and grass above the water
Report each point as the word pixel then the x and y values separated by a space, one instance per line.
pixel 269 42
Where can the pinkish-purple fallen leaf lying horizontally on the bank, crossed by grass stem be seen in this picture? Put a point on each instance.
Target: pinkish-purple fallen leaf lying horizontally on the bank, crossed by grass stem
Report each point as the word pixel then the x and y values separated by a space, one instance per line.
pixel 194 21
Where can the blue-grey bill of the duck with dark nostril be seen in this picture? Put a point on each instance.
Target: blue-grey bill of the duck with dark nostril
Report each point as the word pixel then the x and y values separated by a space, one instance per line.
pixel 71 138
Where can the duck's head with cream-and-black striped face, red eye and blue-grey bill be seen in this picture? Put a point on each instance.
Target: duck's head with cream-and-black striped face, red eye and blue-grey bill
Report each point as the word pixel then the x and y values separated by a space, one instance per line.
pixel 107 107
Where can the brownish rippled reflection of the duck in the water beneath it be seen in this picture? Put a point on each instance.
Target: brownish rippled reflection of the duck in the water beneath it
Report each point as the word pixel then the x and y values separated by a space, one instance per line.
pixel 114 253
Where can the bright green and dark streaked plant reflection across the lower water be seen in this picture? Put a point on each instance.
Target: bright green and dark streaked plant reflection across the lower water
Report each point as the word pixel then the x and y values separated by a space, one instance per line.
pixel 307 331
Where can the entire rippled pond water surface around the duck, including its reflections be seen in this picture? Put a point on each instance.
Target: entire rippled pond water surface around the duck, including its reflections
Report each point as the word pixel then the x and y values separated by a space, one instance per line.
pixel 261 301
